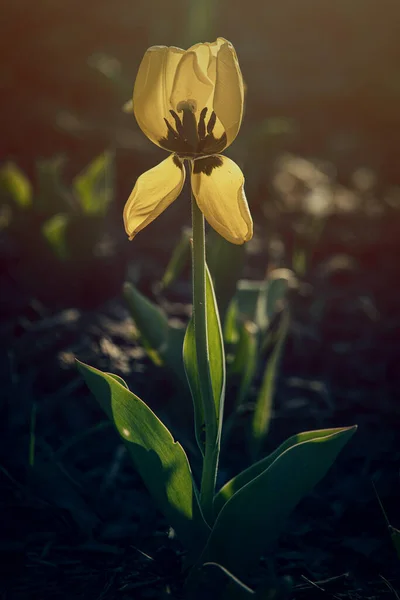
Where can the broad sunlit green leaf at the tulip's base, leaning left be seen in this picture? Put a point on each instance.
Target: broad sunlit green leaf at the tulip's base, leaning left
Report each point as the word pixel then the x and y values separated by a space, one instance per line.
pixel 160 461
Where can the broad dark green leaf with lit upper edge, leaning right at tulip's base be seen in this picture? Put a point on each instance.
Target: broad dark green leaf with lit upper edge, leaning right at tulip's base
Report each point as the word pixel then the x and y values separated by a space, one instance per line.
pixel 254 516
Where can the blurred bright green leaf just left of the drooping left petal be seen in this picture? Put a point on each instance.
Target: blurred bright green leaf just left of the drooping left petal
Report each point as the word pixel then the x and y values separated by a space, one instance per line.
pixel 94 186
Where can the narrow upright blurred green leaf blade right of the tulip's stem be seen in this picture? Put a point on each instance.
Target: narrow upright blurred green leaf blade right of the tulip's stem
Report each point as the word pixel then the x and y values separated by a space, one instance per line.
pixel 263 406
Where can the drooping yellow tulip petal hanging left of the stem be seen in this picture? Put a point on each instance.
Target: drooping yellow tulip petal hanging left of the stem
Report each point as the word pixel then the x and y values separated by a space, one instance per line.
pixel 154 191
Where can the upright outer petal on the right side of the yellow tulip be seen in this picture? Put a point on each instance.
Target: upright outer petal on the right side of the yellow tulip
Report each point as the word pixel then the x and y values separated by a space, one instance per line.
pixel 229 91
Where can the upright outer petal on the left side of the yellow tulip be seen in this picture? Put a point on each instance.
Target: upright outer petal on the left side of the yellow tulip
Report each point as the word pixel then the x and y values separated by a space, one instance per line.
pixel 153 87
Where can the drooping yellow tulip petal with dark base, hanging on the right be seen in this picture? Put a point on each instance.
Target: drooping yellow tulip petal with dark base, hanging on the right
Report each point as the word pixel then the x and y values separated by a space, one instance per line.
pixel 218 187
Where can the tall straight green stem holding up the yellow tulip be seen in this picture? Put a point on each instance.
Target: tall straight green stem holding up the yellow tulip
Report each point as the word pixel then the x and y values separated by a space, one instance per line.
pixel 211 453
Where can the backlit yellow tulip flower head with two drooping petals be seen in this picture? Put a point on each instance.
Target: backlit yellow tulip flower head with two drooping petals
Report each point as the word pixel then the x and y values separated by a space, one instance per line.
pixel 191 104
